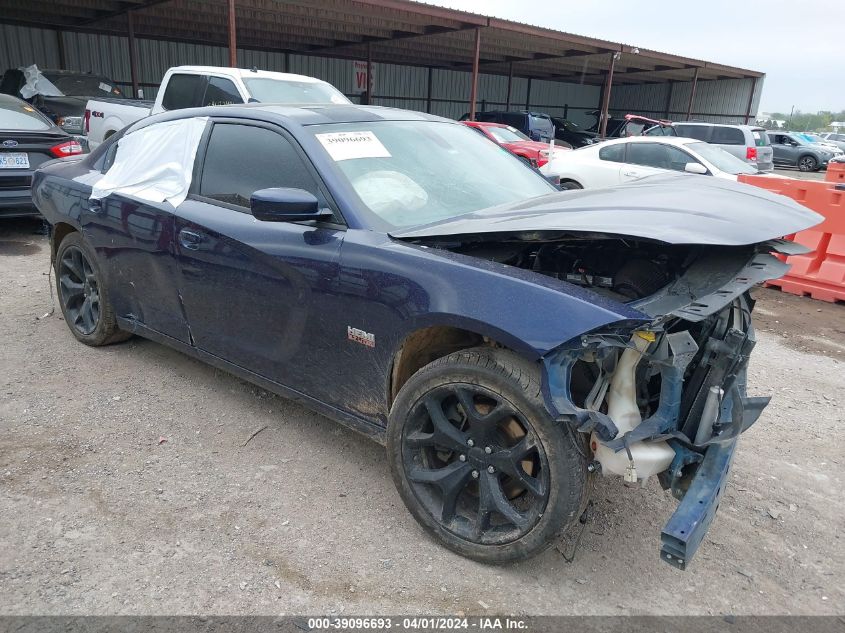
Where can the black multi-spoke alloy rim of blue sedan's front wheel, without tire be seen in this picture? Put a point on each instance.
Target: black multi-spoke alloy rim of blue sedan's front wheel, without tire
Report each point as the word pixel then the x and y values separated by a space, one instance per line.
pixel 475 463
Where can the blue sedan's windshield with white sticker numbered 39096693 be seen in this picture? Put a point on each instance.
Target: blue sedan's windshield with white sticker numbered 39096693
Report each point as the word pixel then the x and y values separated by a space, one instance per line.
pixel 408 173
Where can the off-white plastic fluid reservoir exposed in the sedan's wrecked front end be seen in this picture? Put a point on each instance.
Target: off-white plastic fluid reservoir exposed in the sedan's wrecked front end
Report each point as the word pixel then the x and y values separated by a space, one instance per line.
pixel 648 458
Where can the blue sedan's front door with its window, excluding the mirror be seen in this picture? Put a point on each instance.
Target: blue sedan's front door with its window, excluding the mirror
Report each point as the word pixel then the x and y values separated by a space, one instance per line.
pixel 257 293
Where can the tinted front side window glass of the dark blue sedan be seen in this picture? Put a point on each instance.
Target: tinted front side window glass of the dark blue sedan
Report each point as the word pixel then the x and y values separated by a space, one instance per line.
pixel 241 159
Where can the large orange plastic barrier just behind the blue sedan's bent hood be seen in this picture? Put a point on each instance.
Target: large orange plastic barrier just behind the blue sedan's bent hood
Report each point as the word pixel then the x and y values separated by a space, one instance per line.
pixel 821 273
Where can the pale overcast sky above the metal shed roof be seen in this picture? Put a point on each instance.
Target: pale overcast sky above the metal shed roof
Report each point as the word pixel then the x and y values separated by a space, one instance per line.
pixel 799 44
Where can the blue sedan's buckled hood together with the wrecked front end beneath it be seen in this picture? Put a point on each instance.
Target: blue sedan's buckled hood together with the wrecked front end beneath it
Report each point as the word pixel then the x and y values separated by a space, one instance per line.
pixel 663 392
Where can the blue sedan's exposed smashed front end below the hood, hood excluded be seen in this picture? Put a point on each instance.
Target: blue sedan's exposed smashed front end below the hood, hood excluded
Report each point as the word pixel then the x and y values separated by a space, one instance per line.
pixel 667 397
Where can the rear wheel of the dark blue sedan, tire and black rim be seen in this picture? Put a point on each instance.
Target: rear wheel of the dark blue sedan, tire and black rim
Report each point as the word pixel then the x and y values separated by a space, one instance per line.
pixel 83 295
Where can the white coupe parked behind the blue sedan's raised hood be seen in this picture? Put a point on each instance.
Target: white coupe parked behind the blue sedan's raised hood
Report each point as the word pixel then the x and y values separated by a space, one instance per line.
pixel 621 160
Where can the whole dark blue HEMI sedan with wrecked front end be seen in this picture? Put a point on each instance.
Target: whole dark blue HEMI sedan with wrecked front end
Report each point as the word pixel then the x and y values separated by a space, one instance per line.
pixel 404 276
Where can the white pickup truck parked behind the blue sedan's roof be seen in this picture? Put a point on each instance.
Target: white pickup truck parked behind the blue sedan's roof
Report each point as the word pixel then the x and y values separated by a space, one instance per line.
pixel 198 86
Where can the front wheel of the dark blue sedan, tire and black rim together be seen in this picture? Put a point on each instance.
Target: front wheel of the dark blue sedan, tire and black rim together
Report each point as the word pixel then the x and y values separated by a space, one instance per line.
pixel 478 460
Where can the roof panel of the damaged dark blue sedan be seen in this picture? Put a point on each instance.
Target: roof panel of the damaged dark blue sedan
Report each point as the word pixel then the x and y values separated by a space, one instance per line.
pixel 303 115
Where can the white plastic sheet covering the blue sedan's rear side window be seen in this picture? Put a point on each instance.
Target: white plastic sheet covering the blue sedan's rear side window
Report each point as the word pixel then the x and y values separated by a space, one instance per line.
pixel 155 163
